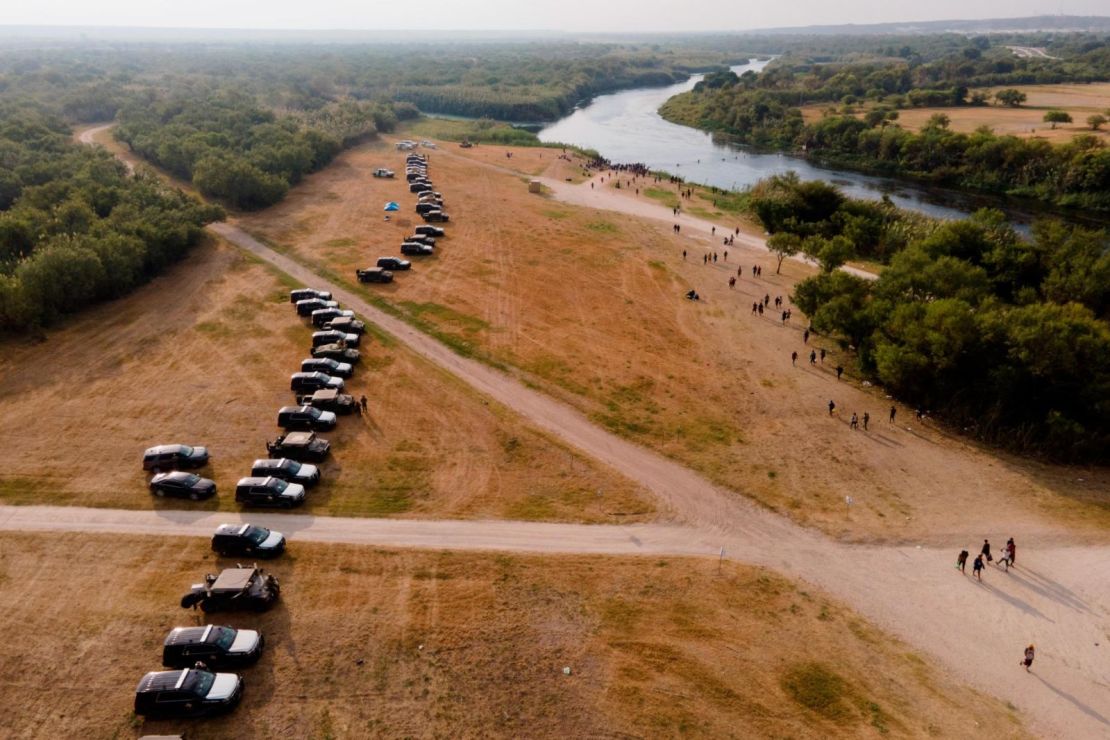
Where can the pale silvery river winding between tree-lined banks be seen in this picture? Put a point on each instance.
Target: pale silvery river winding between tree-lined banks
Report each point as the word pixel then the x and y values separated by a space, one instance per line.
pixel 627 128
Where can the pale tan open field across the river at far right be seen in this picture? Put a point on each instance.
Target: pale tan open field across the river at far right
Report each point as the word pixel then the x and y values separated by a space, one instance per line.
pixel 1028 121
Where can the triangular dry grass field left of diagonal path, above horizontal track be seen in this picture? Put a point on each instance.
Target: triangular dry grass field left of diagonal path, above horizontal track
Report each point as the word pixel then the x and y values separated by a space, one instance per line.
pixel 203 356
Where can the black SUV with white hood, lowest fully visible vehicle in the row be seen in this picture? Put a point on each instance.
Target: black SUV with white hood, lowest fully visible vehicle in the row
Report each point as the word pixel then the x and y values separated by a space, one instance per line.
pixel 187 694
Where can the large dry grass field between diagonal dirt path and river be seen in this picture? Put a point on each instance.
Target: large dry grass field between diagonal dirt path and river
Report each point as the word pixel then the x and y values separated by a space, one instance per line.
pixel 588 303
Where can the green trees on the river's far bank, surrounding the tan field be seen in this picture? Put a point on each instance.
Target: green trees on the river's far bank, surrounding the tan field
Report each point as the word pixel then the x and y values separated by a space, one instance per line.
pixel 763 111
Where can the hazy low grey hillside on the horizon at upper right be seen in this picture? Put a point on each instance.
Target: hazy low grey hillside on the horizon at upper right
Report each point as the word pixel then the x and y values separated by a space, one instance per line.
pixel 1088 24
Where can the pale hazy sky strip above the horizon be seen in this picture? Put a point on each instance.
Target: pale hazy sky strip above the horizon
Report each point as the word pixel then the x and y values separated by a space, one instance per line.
pixel 513 15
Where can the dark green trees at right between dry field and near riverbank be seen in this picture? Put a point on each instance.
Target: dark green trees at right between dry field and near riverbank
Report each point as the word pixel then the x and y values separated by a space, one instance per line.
pixel 1005 338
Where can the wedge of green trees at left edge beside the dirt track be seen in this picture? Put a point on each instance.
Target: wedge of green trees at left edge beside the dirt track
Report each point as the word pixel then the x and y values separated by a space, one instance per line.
pixel 75 229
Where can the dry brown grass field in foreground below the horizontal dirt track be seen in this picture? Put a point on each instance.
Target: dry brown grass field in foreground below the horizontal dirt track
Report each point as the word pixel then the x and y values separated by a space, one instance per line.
pixel 403 644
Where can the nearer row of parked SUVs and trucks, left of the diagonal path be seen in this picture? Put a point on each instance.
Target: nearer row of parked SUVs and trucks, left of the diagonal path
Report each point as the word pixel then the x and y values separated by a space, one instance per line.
pixel 195 687
